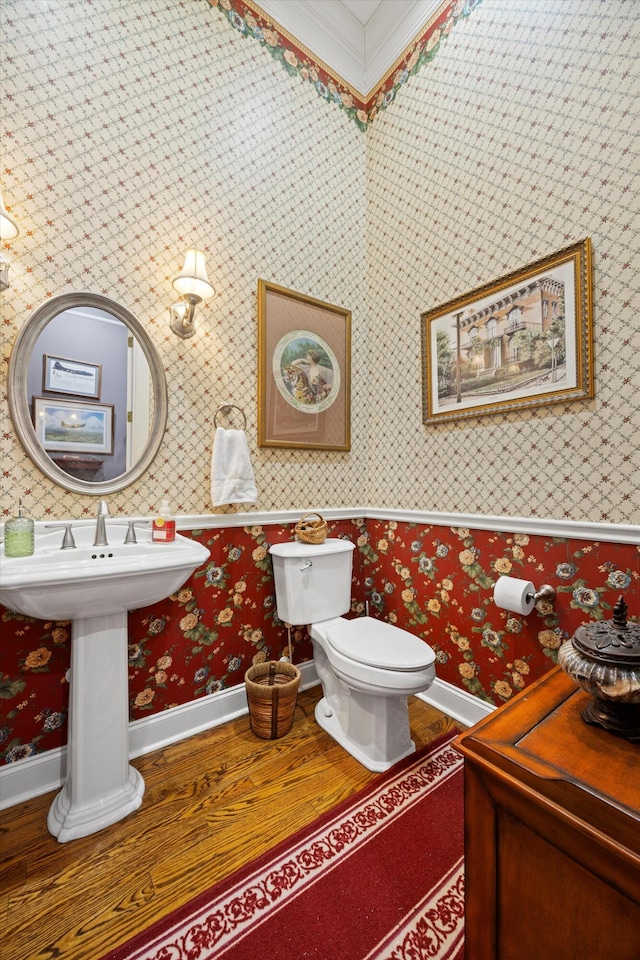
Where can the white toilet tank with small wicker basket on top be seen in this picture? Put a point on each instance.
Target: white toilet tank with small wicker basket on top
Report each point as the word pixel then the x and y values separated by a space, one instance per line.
pixel 313 581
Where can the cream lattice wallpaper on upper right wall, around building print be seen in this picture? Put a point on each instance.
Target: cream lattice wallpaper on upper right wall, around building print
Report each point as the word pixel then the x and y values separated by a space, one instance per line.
pixel 522 136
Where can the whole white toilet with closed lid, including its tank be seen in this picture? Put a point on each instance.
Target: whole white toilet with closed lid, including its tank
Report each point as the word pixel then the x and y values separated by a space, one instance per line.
pixel 367 667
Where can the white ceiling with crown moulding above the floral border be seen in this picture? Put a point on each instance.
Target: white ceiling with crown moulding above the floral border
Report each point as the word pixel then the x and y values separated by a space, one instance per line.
pixel 360 40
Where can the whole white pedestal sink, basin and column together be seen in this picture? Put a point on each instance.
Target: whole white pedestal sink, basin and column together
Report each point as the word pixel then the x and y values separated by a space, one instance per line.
pixel 95 587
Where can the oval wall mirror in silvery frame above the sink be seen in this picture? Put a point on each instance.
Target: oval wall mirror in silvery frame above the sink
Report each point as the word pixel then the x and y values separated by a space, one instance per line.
pixel 87 393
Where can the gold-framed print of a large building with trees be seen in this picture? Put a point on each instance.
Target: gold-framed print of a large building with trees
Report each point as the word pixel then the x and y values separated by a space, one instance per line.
pixel 516 343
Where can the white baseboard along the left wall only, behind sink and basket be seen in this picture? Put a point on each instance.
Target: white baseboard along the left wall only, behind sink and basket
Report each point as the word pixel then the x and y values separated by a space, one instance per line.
pixel 44 772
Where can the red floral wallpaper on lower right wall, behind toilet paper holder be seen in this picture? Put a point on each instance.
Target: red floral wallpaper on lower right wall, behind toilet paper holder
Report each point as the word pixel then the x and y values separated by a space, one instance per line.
pixel 437 582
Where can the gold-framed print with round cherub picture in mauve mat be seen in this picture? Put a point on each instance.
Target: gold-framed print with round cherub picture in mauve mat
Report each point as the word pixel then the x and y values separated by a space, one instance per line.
pixel 304 374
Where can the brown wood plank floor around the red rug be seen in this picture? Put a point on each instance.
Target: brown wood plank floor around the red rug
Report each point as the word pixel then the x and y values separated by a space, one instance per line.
pixel 212 803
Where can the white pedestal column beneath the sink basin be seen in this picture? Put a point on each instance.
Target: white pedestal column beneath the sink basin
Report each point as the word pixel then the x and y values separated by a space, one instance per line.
pixel 101 786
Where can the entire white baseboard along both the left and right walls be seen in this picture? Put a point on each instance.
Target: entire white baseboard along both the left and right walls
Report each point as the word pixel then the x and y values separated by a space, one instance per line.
pixel 45 772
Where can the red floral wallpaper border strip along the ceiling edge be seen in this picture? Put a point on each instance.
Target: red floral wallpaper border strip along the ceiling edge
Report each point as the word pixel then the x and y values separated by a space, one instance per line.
pixel 249 20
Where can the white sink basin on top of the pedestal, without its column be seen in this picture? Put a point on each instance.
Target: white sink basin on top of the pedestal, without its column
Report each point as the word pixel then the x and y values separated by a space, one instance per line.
pixel 88 581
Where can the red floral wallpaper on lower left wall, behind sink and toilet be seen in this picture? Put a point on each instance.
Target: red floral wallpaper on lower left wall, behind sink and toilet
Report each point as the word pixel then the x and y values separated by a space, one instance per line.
pixel 199 641
